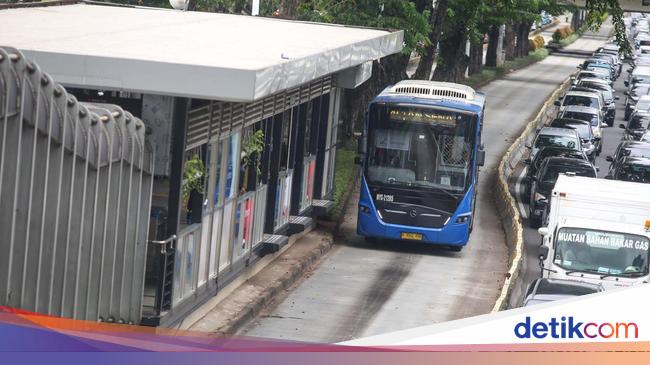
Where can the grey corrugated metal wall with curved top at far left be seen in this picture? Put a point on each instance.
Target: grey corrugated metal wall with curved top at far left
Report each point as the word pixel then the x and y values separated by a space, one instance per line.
pixel 75 195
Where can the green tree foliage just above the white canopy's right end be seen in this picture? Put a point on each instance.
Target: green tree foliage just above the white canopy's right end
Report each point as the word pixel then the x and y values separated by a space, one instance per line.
pixel 388 14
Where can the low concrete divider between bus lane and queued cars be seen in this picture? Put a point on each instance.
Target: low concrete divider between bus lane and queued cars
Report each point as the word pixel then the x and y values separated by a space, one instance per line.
pixel 507 204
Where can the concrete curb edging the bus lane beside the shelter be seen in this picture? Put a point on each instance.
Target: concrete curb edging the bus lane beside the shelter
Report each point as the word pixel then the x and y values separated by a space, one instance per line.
pixel 296 272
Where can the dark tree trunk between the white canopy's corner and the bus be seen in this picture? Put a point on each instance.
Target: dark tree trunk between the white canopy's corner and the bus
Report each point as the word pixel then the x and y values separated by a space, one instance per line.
pixel 389 70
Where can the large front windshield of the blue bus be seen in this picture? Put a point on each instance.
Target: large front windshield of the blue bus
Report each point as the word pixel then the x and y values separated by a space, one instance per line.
pixel 418 146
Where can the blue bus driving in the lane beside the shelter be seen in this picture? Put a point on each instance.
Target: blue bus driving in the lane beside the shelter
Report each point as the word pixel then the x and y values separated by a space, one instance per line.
pixel 420 153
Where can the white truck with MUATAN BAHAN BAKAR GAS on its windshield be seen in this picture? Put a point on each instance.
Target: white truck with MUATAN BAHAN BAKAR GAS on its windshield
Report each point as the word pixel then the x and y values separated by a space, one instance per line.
pixel 598 231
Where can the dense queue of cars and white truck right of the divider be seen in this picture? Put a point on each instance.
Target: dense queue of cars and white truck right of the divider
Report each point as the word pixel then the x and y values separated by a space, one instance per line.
pixel 595 233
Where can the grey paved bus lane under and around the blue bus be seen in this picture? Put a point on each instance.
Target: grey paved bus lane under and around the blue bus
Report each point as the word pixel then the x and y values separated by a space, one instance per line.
pixel 360 289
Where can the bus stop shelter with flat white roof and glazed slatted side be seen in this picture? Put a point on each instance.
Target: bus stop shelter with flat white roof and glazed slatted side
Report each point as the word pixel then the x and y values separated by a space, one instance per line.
pixel 246 108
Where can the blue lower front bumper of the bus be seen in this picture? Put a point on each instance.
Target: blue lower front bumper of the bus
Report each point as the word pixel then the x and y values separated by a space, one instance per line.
pixel 452 234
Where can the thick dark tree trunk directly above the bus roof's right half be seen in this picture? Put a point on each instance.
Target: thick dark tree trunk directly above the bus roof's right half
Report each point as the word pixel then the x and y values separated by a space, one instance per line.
pixel 453 60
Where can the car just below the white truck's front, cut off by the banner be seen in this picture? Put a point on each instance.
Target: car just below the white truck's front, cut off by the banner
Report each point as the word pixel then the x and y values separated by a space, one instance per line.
pixel 545 290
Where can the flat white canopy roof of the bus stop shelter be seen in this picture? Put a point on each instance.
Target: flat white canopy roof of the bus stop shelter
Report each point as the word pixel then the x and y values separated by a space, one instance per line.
pixel 193 54
